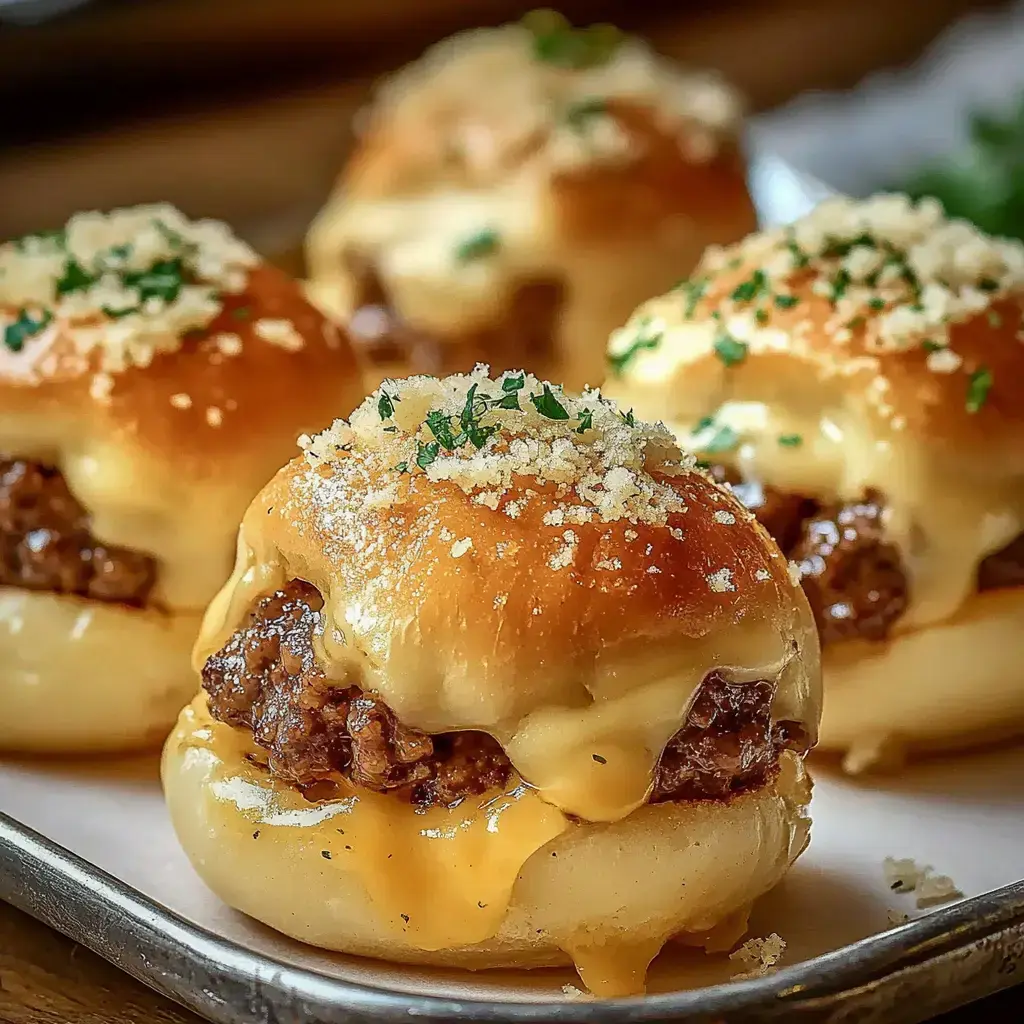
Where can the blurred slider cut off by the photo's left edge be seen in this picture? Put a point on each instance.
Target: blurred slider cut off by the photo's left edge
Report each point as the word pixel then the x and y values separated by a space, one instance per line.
pixel 154 373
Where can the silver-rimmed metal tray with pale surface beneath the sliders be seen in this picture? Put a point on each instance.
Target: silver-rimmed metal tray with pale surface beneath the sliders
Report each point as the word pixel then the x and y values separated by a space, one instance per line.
pixel 88 849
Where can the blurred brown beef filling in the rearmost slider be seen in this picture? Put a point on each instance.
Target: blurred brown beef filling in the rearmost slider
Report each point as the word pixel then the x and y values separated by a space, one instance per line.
pixel 525 337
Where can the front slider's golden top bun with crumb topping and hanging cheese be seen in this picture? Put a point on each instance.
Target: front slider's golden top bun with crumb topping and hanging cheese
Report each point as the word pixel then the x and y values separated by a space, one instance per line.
pixel 497 556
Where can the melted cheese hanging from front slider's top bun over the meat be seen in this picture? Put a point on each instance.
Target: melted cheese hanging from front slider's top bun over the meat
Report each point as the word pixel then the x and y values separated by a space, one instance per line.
pixel 635 700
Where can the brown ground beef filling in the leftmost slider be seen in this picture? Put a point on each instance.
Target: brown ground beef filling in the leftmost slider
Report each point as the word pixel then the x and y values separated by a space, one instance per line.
pixel 46 542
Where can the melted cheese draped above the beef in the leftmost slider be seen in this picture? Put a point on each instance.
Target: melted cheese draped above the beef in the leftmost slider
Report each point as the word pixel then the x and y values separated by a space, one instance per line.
pixel 140 502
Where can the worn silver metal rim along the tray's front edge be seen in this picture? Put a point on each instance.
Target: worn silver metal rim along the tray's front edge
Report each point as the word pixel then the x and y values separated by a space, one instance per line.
pixel 206 972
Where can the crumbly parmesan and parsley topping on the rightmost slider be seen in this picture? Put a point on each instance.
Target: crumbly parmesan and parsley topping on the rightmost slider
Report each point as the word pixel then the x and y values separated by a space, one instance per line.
pixel 898 273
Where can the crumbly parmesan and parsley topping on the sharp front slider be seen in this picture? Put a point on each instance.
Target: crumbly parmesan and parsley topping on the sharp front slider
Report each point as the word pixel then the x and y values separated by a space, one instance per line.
pixel 483 435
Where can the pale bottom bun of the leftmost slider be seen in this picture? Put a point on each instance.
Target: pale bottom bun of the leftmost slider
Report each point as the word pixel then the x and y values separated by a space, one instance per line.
pixel 79 677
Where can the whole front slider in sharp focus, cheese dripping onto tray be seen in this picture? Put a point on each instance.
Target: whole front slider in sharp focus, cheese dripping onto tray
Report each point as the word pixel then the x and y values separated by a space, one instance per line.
pixel 499 680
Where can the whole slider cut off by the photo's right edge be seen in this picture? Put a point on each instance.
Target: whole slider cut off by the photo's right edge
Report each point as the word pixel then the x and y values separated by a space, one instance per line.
pixel 858 378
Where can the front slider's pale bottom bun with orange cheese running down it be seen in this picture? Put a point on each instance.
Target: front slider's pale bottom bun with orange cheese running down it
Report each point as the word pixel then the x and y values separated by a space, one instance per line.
pixel 499 882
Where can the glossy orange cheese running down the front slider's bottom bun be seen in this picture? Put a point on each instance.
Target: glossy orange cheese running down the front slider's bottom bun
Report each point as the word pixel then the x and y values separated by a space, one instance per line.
pixel 439 877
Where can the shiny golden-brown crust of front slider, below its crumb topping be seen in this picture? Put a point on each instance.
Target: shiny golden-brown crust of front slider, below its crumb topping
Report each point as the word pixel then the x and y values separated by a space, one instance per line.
pixel 508 590
